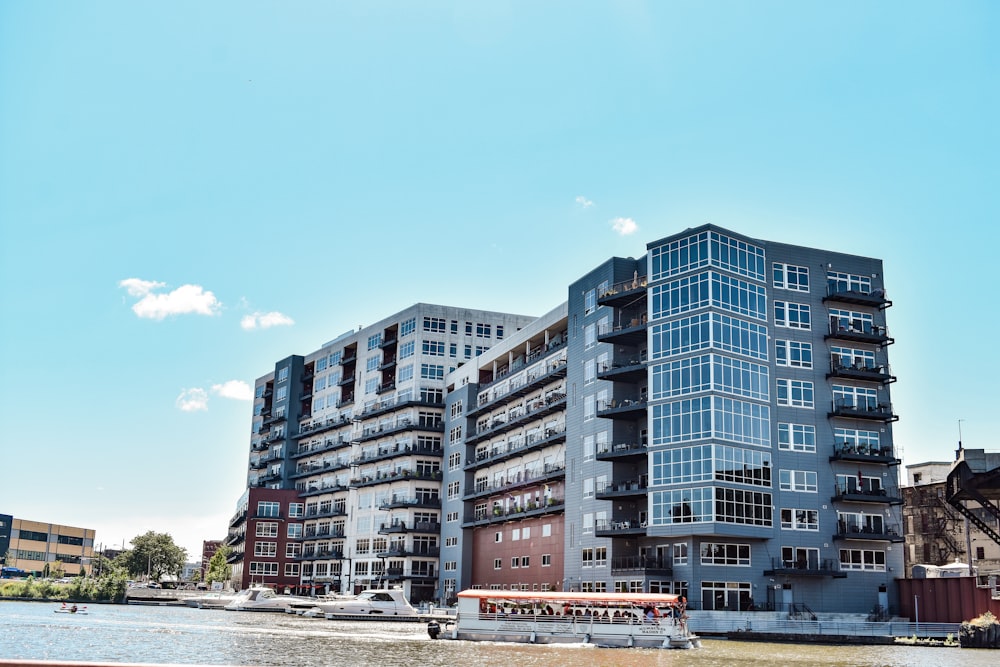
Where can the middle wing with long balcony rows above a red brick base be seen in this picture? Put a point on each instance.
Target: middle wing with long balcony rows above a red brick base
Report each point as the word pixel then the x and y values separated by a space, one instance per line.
pixel 505 477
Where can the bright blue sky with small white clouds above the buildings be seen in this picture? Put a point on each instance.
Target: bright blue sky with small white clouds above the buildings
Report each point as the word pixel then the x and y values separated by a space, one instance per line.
pixel 190 191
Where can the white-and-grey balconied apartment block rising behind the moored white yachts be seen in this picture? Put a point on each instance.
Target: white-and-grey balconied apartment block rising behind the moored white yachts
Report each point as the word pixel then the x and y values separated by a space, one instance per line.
pixel 356 430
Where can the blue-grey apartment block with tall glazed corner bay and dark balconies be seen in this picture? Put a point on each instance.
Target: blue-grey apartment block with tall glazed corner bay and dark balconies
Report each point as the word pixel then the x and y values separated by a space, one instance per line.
pixel 729 427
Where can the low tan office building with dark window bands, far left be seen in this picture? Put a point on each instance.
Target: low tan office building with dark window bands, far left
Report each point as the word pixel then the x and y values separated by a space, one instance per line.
pixel 38 548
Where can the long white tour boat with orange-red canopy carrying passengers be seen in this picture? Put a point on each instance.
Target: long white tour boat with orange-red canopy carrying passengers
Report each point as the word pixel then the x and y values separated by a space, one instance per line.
pixel 650 620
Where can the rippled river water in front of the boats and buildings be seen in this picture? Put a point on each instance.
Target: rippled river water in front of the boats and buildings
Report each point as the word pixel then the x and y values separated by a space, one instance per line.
pixel 180 635
